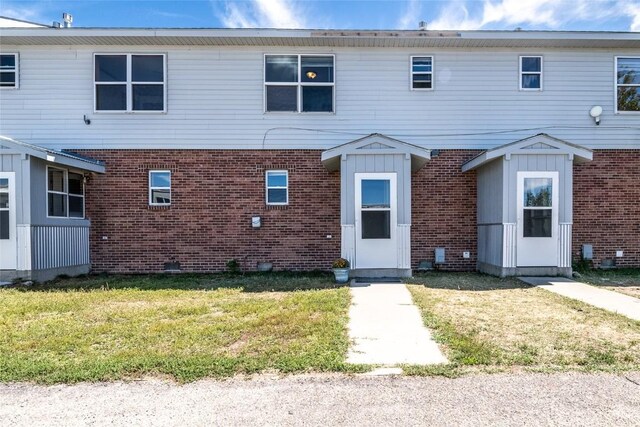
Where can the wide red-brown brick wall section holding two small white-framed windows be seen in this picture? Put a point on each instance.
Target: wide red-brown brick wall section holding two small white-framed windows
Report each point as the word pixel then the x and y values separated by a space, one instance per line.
pixel 214 195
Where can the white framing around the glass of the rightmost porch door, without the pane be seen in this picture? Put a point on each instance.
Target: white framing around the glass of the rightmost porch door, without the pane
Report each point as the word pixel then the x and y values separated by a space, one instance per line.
pixel 537 251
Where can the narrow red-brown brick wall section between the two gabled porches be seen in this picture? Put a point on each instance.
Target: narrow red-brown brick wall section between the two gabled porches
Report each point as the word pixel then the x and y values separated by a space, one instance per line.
pixel 443 211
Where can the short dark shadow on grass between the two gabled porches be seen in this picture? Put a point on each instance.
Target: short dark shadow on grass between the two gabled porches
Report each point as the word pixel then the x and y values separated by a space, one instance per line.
pixel 465 281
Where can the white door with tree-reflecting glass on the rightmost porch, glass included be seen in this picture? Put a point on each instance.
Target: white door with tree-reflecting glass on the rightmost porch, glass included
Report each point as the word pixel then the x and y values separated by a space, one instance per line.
pixel 537 227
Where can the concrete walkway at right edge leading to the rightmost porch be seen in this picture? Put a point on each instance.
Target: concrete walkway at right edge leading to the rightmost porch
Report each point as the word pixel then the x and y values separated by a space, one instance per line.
pixel 602 298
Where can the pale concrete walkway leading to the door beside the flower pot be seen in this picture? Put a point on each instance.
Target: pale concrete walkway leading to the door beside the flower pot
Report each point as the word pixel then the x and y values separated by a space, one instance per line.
pixel 387 329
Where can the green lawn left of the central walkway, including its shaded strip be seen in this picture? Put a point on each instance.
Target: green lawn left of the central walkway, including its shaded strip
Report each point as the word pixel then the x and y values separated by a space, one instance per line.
pixel 183 326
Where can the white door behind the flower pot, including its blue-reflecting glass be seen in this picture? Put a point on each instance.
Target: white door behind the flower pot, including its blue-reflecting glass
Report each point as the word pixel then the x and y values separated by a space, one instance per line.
pixel 376 220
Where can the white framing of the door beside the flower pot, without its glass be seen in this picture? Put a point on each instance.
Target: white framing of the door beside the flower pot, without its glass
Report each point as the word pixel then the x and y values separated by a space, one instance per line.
pixel 376 253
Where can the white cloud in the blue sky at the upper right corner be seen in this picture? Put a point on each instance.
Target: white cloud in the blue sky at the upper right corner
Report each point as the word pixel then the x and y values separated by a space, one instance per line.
pixel 538 13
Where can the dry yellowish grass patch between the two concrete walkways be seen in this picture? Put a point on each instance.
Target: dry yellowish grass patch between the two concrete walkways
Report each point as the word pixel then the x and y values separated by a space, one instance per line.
pixel 487 324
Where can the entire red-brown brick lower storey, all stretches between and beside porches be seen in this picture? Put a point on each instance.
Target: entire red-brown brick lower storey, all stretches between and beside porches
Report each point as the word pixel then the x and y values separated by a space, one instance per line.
pixel 216 192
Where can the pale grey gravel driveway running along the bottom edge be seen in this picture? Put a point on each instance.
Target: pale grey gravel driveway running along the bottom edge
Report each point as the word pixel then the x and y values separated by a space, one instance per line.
pixel 523 399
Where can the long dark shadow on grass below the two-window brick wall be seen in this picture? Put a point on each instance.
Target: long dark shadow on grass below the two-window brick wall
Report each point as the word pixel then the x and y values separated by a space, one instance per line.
pixel 282 281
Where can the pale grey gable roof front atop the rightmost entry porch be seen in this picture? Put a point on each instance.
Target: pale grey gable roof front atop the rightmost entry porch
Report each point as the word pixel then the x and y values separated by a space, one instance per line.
pixel 537 144
